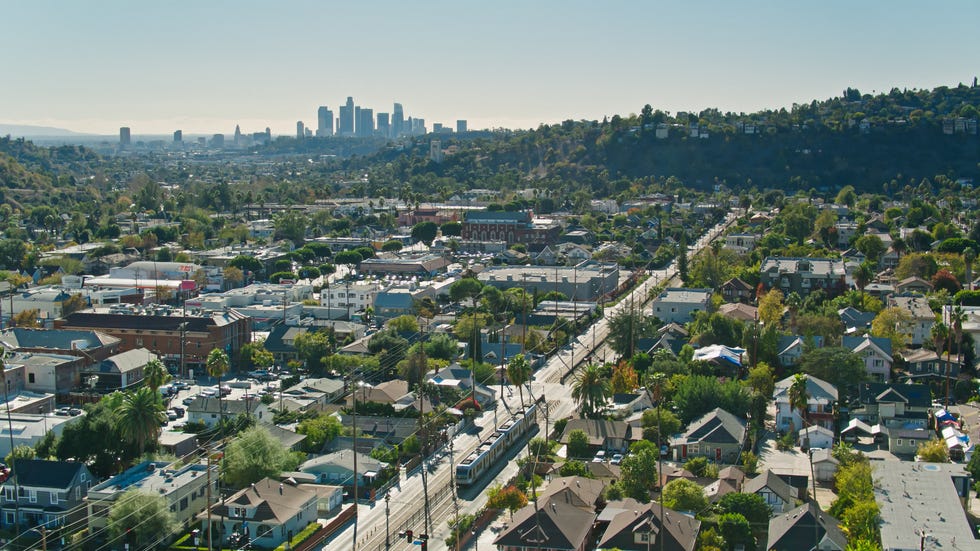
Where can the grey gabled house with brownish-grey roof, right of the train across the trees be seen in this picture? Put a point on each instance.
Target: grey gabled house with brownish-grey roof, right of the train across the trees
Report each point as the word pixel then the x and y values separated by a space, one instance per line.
pixel 717 435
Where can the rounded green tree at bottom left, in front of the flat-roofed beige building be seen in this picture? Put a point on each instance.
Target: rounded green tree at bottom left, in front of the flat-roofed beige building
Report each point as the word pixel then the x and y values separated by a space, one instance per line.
pixel 141 519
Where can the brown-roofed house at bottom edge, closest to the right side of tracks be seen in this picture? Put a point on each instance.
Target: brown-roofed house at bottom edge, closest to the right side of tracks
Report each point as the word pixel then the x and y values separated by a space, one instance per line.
pixel 551 524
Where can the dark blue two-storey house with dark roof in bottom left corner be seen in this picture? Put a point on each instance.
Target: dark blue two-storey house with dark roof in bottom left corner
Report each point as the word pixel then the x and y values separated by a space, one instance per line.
pixel 51 493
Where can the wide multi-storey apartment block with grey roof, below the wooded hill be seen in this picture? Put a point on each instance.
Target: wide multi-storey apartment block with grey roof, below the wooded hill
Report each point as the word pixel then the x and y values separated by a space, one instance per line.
pixel 803 275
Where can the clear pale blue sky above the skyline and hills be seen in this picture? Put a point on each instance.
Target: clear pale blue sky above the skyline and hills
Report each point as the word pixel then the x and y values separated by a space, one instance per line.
pixel 203 65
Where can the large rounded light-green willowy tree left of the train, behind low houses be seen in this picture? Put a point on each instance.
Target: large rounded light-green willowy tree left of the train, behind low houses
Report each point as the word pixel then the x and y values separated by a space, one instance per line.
pixel 254 455
